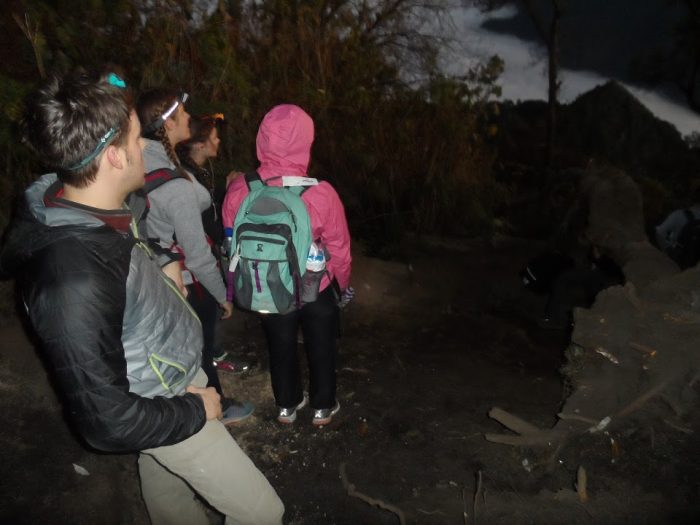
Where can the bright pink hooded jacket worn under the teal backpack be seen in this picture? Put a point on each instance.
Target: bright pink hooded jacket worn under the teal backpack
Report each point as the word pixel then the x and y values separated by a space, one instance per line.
pixel 284 148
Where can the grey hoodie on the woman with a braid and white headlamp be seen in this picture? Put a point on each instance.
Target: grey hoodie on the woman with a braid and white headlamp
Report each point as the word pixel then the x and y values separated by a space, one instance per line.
pixel 175 213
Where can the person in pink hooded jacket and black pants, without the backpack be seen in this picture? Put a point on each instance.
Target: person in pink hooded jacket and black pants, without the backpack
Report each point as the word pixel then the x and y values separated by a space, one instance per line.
pixel 283 145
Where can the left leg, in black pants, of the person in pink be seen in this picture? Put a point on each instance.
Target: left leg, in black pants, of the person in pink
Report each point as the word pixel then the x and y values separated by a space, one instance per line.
pixel 281 333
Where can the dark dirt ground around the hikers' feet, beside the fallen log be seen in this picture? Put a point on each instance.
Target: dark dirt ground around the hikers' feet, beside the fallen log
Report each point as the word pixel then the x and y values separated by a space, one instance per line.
pixel 427 349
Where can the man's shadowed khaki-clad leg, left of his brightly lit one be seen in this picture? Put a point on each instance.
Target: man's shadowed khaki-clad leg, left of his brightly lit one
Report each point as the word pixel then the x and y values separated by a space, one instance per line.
pixel 169 500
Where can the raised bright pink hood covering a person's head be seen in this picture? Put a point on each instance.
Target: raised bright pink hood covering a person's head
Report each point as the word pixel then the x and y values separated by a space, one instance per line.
pixel 284 142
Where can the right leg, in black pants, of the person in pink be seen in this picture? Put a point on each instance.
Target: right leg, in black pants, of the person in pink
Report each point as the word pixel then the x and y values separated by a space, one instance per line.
pixel 320 326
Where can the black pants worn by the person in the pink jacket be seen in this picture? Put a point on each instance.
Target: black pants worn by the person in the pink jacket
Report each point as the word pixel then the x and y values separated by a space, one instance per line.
pixel 319 323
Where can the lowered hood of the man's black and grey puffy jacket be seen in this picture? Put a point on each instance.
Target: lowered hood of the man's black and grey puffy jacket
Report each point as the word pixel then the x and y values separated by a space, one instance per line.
pixel 37 226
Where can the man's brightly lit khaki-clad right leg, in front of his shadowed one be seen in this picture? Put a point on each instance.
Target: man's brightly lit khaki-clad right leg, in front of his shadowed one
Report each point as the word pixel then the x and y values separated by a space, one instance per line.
pixel 213 464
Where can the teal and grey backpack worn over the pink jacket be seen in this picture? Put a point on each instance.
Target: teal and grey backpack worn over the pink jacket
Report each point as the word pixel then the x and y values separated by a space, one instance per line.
pixel 271 240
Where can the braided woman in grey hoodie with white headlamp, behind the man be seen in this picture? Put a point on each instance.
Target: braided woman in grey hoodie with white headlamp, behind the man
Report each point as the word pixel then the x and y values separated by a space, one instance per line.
pixel 177 200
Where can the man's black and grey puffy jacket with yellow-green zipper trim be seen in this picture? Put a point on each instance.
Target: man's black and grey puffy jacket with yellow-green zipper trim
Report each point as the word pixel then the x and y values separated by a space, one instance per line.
pixel 118 338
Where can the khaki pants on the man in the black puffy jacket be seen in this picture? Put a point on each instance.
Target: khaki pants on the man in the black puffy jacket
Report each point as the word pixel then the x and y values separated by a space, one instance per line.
pixel 211 464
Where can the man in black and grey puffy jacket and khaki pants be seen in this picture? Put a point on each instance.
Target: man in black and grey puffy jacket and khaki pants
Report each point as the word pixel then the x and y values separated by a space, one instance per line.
pixel 119 337
